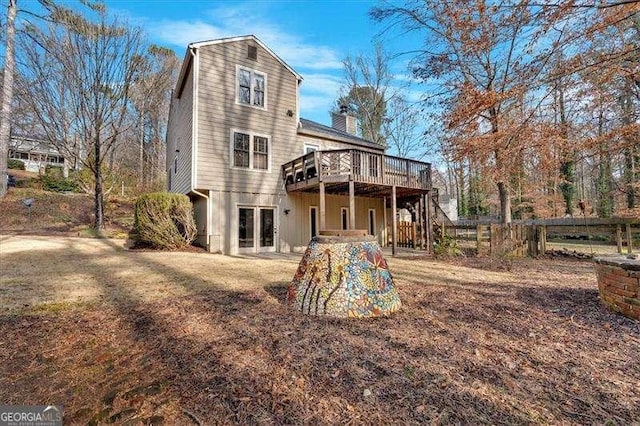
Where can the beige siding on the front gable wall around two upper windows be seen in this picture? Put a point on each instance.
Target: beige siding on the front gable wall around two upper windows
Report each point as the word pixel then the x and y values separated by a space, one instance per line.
pixel 218 114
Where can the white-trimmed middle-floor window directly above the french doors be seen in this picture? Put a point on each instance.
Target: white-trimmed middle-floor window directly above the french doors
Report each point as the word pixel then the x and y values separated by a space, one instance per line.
pixel 250 151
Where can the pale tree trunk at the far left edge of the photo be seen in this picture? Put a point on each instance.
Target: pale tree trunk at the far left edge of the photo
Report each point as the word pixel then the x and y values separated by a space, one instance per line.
pixel 7 94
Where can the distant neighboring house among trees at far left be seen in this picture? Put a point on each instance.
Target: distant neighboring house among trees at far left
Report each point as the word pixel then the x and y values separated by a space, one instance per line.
pixel 36 154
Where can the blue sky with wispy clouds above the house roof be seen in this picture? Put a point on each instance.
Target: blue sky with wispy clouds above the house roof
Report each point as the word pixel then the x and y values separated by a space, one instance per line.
pixel 313 37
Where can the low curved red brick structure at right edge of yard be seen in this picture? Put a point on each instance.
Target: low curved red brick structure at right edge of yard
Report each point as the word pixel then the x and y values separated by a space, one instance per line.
pixel 619 284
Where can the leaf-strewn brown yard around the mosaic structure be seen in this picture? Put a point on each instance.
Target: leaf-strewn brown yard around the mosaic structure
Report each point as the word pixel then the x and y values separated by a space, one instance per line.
pixel 186 338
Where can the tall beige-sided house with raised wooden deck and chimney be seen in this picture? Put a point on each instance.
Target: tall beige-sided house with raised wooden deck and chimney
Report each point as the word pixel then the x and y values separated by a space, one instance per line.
pixel 262 178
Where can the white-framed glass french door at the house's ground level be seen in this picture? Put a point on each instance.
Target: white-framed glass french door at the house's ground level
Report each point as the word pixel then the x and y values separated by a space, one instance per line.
pixel 256 229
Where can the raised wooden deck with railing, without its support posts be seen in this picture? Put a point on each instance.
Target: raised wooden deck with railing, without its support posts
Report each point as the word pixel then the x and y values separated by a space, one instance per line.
pixel 373 174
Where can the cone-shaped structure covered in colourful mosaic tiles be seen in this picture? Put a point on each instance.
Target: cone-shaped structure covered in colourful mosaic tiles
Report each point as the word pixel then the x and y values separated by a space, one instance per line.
pixel 343 277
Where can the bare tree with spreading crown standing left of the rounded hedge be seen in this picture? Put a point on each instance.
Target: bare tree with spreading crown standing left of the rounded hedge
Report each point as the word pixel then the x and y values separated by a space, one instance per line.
pixel 79 78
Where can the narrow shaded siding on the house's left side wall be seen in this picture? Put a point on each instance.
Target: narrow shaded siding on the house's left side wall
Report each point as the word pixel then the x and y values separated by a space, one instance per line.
pixel 179 137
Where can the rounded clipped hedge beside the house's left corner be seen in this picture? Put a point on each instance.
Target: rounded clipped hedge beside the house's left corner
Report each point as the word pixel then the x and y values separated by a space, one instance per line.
pixel 164 221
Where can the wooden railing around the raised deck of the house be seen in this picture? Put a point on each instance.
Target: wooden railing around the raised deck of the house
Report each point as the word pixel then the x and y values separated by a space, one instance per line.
pixel 359 166
